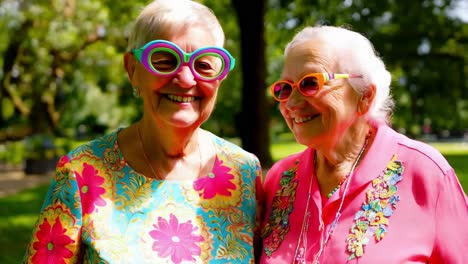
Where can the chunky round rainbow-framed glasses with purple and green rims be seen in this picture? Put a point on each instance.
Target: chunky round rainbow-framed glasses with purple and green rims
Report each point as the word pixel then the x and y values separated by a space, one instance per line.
pixel 164 58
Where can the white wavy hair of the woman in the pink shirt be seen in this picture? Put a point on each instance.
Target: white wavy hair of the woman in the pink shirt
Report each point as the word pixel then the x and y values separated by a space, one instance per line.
pixel 353 53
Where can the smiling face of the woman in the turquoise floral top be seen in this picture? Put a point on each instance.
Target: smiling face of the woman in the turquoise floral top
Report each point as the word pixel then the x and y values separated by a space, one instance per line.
pixel 180 100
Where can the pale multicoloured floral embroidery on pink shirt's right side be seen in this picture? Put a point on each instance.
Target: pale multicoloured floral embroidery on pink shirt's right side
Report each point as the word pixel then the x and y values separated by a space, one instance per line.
pixel 372 220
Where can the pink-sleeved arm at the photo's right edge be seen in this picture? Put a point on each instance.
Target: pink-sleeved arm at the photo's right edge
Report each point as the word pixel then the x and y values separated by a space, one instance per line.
pixel 451 214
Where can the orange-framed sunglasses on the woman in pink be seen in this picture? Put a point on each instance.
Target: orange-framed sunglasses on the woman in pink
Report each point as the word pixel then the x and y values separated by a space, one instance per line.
pixel 309 85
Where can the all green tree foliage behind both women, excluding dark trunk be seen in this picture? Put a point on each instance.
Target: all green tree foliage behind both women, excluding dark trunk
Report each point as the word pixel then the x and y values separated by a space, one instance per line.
pixel 69 61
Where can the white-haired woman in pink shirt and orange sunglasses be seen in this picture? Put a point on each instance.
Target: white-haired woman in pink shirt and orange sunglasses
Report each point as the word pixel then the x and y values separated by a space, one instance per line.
pixel 360 192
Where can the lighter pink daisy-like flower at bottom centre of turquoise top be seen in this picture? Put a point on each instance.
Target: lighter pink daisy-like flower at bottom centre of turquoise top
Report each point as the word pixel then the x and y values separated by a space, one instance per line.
pixel 175 239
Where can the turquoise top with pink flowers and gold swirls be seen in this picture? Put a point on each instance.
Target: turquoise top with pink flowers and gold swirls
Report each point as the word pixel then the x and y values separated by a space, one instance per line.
pixel 99 210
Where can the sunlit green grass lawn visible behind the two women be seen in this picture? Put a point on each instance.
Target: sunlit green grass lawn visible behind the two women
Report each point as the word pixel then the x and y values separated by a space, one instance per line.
pixel 18 212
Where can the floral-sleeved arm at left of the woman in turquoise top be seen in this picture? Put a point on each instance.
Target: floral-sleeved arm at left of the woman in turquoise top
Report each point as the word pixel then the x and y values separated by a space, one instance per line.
pixel 56 236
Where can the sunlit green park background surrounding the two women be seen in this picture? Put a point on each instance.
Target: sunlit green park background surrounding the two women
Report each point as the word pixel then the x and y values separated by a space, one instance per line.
pixel 62 80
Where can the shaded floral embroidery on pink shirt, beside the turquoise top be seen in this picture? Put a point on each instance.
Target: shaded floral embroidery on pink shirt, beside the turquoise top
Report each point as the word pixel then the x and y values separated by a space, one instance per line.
pixel 278 225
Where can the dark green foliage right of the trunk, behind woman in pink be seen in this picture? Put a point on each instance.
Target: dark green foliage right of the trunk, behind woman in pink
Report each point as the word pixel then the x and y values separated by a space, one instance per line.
pixel 424 51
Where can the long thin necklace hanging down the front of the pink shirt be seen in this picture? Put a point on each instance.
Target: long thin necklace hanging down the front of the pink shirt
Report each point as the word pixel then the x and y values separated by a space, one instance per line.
pixel 300 252
